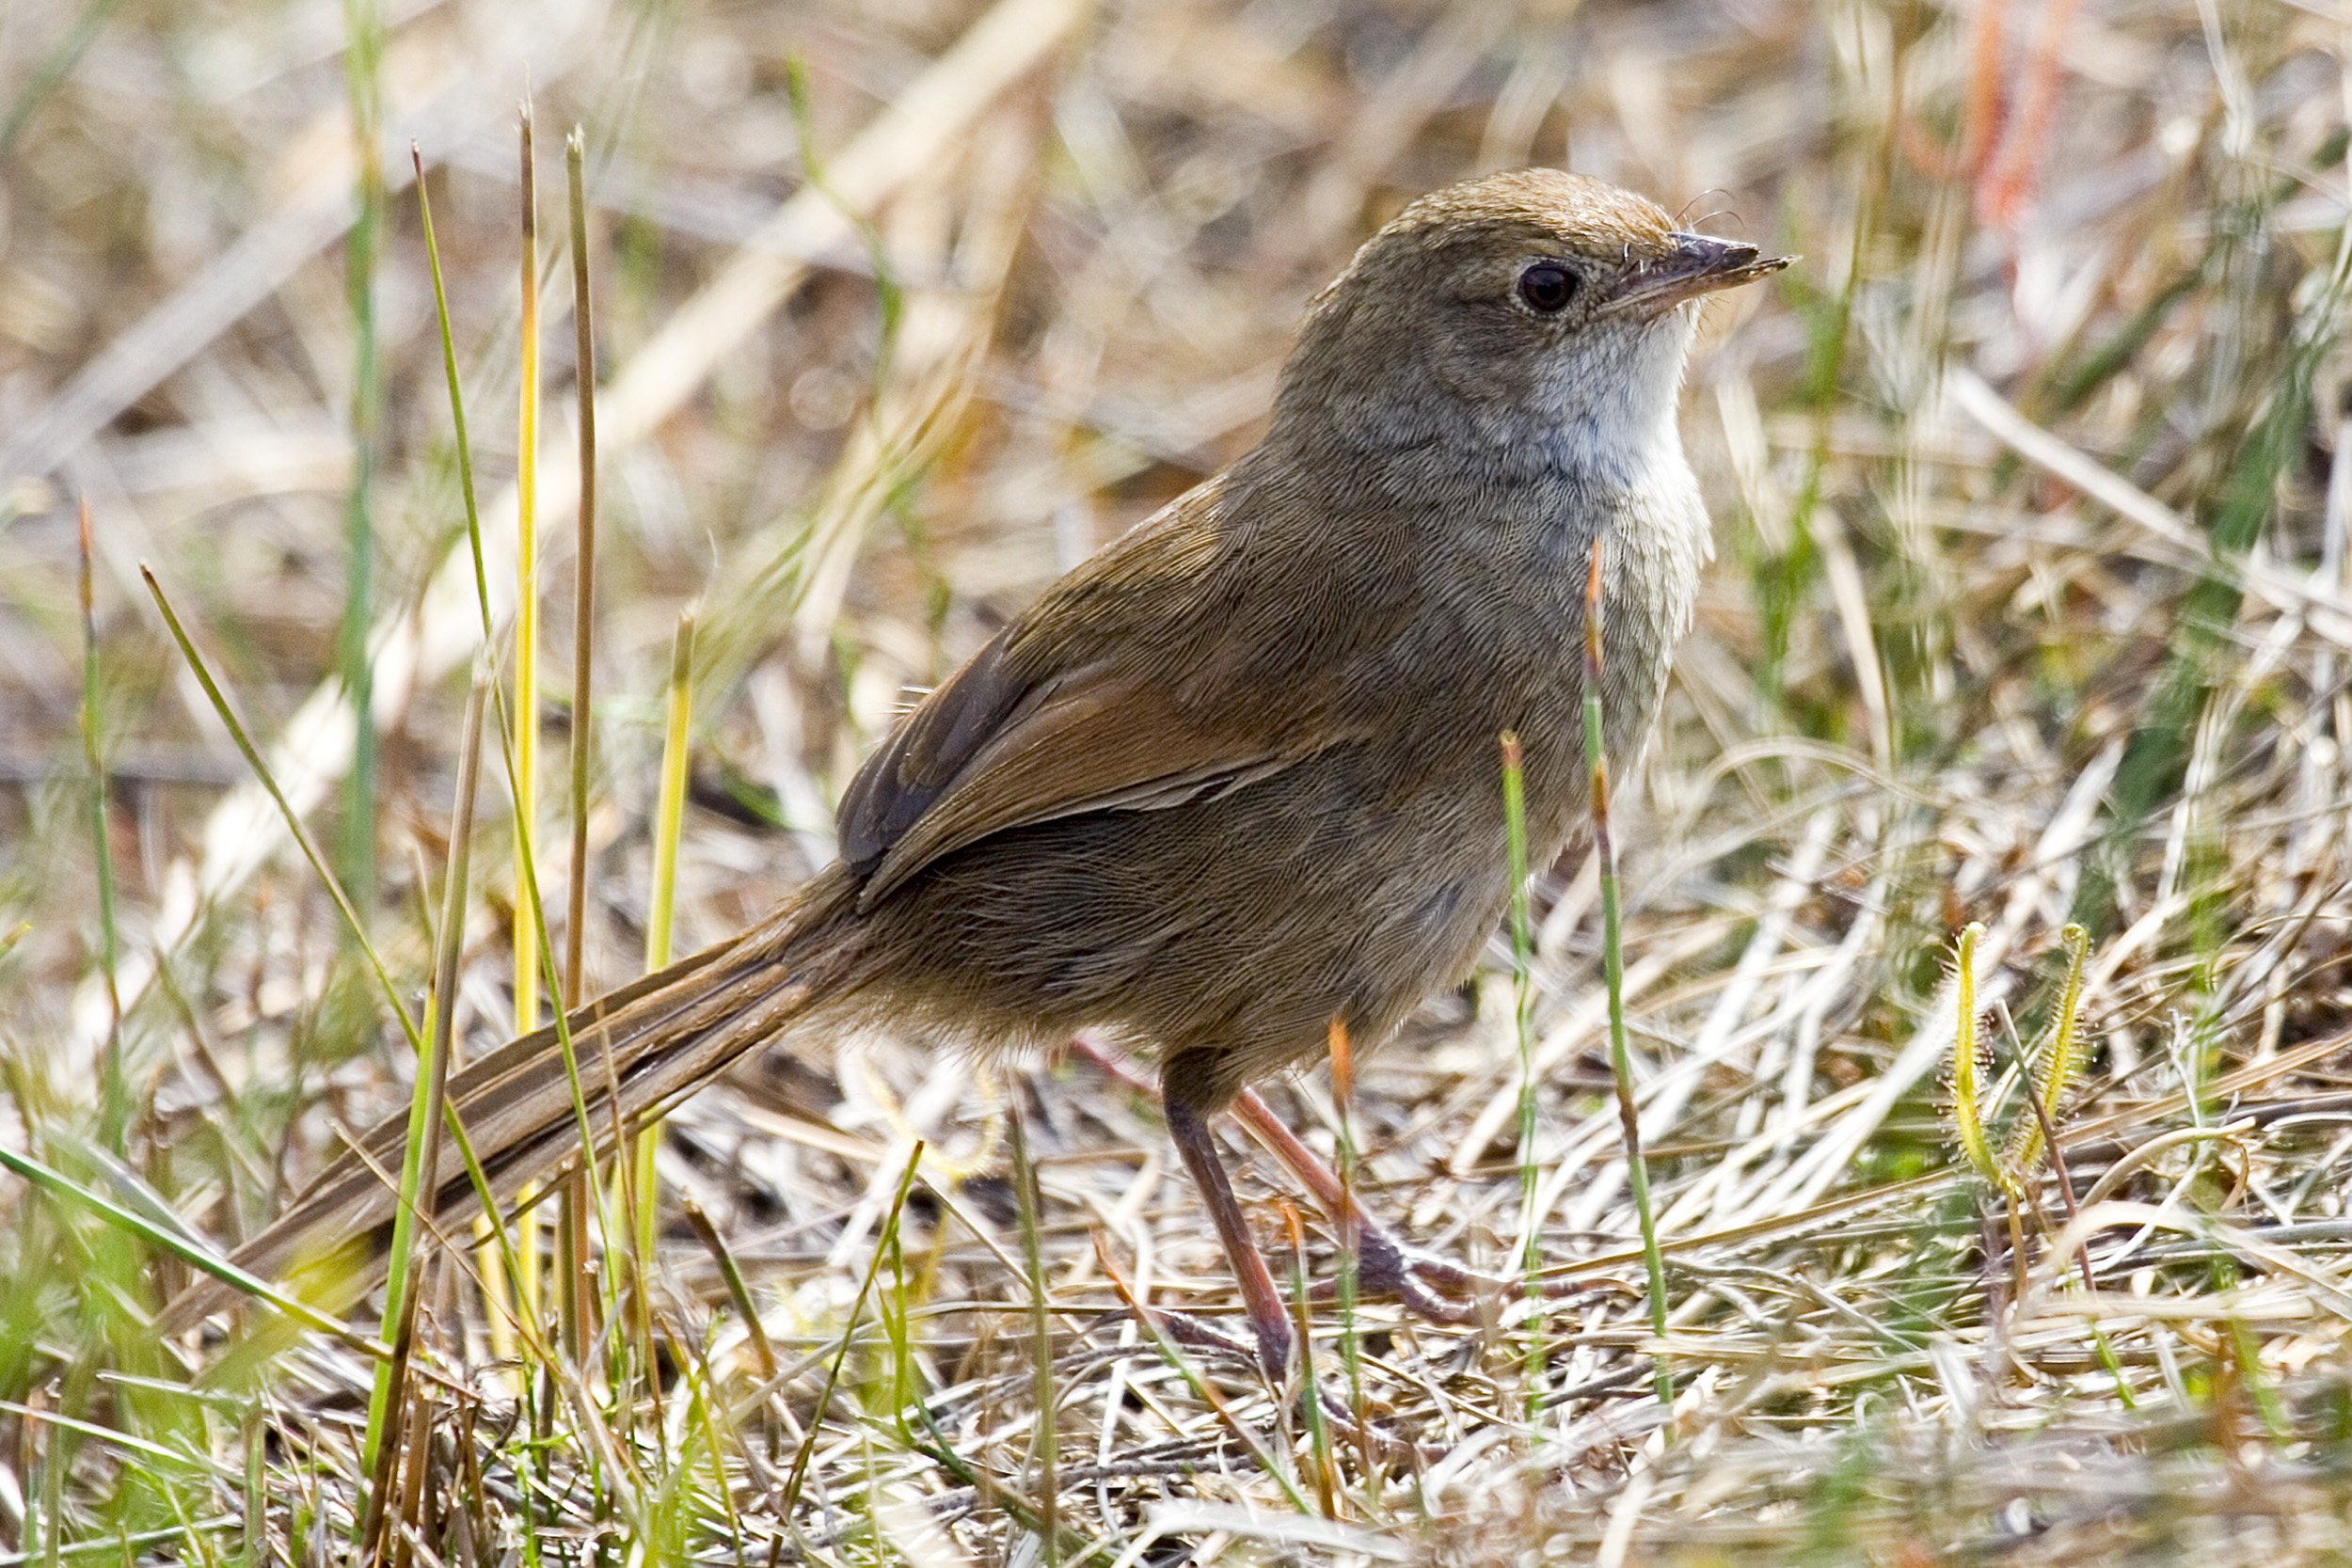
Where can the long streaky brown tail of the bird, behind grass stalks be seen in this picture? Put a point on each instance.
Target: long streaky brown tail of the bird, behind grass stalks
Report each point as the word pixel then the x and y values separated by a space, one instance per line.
pixel 639 1050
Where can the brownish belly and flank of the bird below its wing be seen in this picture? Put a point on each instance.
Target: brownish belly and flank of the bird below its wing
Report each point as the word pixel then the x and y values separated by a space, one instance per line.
pixel 1243 925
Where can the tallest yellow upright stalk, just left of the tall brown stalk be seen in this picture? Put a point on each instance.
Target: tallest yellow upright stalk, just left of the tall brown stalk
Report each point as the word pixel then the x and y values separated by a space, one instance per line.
pixel 523 746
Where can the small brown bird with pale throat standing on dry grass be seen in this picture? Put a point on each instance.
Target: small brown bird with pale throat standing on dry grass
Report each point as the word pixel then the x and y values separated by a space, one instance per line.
pixel 1234 779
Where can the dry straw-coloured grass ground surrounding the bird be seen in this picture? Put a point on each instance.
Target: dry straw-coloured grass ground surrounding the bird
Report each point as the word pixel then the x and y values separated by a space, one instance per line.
pixel 2031 608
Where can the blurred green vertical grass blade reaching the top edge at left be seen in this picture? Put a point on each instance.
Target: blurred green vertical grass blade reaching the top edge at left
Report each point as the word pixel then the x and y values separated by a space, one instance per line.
pixel 363 76
